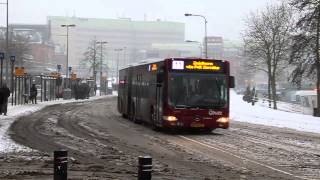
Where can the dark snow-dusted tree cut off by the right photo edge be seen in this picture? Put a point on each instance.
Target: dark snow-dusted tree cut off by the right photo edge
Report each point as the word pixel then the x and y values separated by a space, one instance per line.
pixel 305 54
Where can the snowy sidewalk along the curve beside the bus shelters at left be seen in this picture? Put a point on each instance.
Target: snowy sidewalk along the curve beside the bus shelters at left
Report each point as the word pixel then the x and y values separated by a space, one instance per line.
pixel 14 112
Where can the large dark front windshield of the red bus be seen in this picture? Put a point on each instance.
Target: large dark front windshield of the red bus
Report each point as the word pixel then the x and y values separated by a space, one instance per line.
pixel 196 90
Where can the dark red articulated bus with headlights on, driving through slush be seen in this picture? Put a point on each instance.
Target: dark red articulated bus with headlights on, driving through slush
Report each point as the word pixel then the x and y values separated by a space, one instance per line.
pixel 177 93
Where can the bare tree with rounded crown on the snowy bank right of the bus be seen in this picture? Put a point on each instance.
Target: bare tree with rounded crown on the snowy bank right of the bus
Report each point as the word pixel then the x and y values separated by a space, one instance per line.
pixel 267 40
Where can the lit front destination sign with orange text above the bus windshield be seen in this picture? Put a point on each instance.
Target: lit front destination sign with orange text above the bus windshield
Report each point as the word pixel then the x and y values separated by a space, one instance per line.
pixel 197 65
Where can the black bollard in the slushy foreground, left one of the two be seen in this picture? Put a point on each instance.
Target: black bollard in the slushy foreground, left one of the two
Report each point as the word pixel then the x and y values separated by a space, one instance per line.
pixel 60 166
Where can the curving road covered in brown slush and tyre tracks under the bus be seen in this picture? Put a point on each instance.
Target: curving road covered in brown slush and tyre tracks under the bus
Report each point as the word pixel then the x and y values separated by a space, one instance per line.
pixel 93 130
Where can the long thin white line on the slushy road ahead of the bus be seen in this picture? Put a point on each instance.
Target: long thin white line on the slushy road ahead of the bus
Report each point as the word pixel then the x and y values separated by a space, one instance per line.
pixel 239 157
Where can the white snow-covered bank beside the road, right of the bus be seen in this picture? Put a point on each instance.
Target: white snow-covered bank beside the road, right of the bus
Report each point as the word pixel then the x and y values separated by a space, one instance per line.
pixel 245 112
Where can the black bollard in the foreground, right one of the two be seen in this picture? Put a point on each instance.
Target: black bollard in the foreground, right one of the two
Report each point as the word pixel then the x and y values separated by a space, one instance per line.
pixel 145 168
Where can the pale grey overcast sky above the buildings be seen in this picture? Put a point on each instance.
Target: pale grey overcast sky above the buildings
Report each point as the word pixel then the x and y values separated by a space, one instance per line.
pixel 225 17
